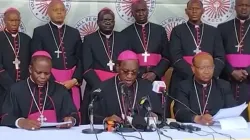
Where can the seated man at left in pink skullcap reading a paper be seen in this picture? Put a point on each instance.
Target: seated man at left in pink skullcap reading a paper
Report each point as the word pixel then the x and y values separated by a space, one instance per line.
pixel 37 99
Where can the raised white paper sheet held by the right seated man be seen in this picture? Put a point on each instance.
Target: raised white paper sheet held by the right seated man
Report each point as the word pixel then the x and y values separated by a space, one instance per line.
pixel 230 112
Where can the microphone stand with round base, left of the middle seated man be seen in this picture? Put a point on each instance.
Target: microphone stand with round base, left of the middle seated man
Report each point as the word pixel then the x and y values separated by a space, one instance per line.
pixel 92 130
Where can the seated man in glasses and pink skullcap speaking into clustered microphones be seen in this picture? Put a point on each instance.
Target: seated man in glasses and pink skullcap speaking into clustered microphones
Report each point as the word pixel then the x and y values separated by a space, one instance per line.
pixel 121 95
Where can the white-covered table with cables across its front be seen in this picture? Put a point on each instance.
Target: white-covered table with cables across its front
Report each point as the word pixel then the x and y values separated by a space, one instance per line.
pixel 75 134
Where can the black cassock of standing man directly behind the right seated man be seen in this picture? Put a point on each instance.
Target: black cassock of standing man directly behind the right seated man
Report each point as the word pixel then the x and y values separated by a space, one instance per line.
pixel 183 40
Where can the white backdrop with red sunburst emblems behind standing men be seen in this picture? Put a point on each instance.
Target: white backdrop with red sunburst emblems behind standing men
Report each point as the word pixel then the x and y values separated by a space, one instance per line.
pixel 81 14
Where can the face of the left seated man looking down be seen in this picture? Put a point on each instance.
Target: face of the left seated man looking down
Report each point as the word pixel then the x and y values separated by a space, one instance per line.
pixel 40 71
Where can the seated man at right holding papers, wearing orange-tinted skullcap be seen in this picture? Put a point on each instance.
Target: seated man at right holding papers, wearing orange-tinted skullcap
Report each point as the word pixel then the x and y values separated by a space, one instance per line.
pixel 202 96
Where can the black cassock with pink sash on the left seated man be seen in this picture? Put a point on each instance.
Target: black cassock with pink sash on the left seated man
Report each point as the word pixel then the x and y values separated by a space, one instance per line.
pixel 20 104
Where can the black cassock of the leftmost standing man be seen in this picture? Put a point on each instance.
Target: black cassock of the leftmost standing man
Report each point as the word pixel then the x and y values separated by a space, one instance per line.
pixel 12 47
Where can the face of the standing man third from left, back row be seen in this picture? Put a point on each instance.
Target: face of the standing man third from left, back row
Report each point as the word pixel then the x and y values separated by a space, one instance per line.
pixel 106 22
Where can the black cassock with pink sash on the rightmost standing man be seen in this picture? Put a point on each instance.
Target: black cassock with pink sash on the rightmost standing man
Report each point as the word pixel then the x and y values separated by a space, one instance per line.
pixel 237 59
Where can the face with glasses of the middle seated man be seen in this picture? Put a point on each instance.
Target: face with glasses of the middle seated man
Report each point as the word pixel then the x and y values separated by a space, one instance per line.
pixel 128 71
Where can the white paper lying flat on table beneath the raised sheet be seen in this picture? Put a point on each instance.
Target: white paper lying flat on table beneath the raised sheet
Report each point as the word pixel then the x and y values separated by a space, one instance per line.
pixel 233 123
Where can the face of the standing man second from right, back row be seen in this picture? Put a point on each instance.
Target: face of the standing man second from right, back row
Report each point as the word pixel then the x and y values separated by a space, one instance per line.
pixel 194 11
